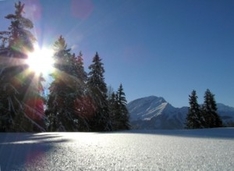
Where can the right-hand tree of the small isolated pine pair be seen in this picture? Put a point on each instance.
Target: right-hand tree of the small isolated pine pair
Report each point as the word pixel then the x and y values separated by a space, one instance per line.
pixel 209 110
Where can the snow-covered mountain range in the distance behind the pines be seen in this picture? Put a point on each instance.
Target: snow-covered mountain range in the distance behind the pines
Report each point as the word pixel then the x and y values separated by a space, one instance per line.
pixel 156 113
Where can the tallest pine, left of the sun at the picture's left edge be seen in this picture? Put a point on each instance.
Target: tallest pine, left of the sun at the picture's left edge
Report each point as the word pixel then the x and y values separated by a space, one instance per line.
pixel 21 104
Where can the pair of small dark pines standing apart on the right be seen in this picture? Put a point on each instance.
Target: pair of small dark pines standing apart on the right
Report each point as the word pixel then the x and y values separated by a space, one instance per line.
pixel 205 115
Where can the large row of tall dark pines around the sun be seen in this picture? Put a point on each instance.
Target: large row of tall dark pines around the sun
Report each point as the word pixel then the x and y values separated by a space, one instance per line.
pixel 77 100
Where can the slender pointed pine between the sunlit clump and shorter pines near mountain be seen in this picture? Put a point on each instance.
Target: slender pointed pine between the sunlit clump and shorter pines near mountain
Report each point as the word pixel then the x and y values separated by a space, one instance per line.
pixel 97 89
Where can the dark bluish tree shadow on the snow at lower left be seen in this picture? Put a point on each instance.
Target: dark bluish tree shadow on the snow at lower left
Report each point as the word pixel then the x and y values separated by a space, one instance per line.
pixel 19 149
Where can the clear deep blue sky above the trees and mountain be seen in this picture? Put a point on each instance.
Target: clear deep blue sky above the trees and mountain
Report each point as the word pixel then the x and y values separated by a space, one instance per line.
pixel 164 48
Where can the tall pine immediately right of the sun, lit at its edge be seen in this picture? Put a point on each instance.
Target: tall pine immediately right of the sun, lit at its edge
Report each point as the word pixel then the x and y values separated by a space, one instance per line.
pixel 63 90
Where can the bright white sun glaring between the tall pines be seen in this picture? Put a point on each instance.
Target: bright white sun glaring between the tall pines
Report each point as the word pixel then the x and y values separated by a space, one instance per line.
pixel 40 60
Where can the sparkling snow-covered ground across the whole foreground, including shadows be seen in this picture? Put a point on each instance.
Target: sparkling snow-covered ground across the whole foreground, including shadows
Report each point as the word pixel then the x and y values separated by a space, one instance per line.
pixel 207 149
